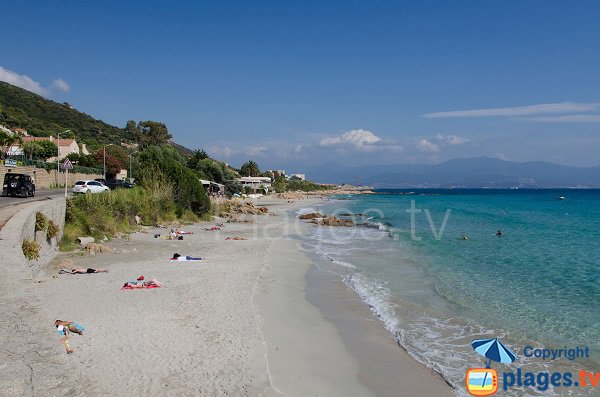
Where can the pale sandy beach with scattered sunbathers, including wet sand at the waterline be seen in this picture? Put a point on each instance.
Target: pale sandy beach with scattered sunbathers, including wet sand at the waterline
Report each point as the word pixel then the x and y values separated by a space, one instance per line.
pixel 253 318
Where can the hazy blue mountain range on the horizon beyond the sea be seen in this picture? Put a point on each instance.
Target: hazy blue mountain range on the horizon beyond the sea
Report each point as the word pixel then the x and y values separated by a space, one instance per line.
pixel 468 173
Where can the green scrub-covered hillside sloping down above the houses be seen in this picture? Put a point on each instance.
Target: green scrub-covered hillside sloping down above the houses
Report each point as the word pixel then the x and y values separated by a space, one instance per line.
pixel 42 117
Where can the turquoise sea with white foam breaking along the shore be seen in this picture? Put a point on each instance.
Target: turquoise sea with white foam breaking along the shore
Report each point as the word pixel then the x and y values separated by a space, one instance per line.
pixel 536 286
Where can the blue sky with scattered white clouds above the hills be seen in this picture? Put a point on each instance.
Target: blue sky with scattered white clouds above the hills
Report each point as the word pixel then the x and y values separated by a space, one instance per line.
pixel 290 83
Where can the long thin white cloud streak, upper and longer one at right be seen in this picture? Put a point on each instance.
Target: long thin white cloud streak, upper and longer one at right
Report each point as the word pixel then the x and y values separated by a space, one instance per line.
pixel 545 108
